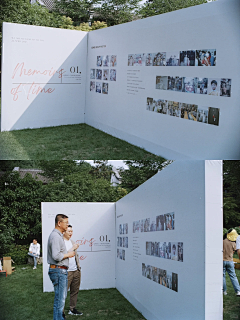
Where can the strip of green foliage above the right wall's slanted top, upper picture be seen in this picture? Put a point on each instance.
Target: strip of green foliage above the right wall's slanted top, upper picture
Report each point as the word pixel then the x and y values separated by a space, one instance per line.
pixel 155 7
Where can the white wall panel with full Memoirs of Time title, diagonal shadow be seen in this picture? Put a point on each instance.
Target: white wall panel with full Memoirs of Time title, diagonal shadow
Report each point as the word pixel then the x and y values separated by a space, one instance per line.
pixel 43 76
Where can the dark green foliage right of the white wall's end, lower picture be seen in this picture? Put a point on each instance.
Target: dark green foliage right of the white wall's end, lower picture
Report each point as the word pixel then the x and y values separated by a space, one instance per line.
pixel 231 193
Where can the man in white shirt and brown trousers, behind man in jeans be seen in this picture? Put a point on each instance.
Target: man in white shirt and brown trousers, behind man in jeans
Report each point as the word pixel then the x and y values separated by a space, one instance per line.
pixel 74 272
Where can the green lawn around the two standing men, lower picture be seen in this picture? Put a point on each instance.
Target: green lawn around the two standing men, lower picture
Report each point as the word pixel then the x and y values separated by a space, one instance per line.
pixel 21 298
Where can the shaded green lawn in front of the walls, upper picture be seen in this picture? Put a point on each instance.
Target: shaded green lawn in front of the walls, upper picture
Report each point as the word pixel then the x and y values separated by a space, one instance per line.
pixel 65 143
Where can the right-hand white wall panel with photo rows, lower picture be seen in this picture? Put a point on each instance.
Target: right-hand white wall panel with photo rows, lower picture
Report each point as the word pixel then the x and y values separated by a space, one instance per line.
pixel 190 192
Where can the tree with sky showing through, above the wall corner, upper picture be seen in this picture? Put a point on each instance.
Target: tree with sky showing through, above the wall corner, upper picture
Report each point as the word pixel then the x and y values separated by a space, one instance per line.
pixel 115 12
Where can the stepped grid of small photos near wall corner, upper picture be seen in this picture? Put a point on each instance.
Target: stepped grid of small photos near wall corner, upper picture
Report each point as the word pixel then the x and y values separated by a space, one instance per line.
pixel 105 72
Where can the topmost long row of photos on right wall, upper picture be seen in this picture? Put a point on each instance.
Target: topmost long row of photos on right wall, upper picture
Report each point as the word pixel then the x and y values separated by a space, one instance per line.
pixel 206 58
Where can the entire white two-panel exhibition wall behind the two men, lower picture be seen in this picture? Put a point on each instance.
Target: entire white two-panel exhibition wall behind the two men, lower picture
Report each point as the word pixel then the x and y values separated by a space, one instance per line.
pixel 179 207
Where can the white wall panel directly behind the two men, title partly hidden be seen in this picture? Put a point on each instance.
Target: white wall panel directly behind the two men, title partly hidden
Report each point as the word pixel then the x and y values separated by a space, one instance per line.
pixel 94 229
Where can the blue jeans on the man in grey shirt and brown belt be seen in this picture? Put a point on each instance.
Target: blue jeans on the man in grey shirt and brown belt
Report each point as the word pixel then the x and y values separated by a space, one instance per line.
pixel 59 278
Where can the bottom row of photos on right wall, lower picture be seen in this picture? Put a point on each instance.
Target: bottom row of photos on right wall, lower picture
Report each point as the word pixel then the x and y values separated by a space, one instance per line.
pixel 161 276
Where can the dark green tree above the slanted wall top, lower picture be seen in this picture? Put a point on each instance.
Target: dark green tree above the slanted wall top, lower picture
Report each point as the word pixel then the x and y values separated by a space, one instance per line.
pixel 140 171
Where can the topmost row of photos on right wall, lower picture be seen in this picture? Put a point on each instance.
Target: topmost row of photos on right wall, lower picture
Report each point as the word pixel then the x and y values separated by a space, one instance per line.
pixel 160 223
